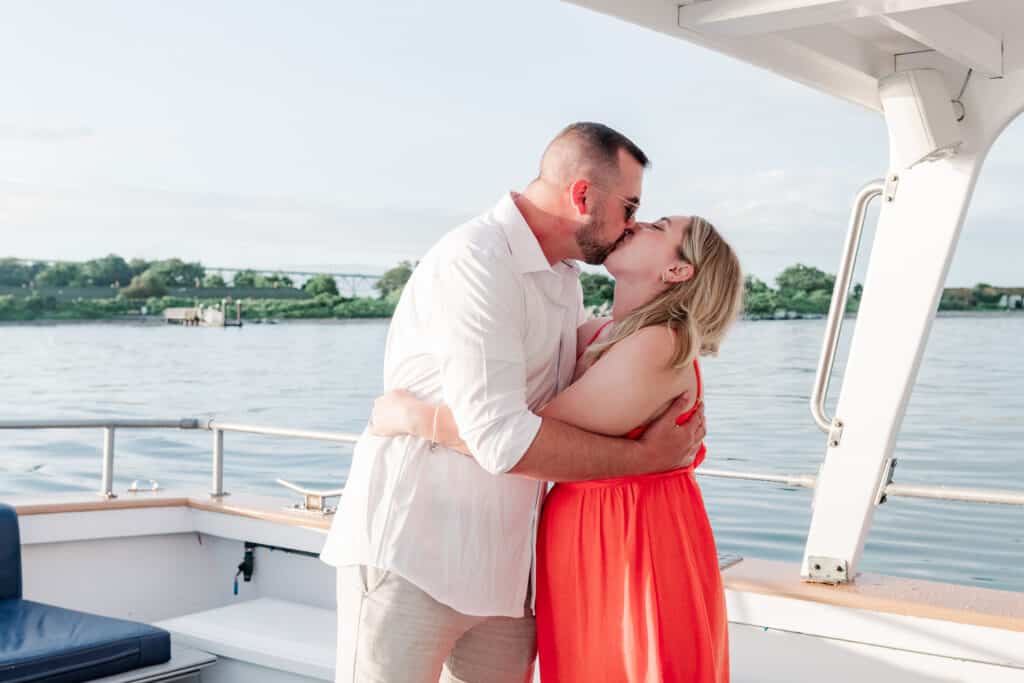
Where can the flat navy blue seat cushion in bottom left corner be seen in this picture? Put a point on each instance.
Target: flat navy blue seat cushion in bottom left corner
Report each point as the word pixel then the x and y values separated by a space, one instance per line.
pixel 45 644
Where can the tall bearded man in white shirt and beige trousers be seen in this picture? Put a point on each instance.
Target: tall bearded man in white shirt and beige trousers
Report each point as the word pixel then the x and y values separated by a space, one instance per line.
pixel 435 550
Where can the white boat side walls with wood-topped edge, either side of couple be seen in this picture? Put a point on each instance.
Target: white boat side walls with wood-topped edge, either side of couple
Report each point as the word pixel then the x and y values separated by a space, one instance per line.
pixel 169 559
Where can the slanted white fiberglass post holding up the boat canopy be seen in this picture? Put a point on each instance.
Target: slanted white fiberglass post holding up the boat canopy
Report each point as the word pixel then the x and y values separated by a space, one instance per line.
pixel 914 246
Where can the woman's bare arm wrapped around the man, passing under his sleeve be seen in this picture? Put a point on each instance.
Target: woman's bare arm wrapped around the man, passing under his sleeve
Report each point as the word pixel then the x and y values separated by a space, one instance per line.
pixel 627 388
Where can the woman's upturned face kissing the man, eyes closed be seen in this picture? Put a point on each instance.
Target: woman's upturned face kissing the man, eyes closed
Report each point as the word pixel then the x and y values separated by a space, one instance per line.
pixel 652 250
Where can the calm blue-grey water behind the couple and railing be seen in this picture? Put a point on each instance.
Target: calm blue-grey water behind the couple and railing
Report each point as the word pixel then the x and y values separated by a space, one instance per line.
pixel 963 426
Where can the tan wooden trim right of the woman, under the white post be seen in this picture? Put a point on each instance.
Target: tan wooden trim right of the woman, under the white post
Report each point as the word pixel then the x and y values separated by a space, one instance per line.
pixel 894 595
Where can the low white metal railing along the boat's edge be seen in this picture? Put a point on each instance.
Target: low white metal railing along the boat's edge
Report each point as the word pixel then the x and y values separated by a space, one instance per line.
pixel 220 429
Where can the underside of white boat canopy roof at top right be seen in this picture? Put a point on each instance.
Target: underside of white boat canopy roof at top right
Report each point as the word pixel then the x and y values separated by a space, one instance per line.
pixel 843 48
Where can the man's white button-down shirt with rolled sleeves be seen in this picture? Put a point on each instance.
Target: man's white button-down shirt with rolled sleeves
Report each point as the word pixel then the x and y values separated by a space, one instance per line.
pixel 487 326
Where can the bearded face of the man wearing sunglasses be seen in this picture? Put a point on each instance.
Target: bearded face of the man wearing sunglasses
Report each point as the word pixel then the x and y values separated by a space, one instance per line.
pixel 613 211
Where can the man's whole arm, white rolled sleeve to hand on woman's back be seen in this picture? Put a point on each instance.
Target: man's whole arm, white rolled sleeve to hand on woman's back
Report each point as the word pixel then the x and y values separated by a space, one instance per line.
pixel 480 327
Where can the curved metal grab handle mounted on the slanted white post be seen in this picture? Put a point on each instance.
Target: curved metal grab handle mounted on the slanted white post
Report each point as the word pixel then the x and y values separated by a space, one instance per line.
pixel 838 308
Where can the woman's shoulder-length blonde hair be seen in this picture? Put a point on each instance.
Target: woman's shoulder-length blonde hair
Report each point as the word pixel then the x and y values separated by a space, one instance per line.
pixel 699 311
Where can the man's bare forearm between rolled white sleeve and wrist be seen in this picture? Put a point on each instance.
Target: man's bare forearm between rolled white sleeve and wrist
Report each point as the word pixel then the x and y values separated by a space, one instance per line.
pixel 564 453
